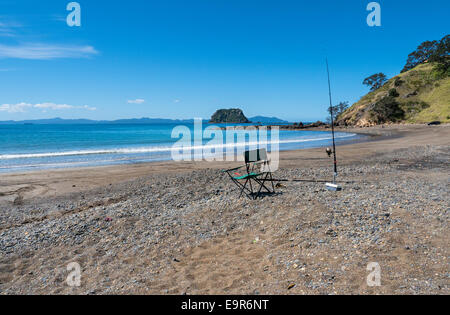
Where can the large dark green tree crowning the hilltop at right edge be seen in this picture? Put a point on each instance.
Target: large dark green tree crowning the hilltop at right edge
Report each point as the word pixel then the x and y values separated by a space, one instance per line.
pixel 435 51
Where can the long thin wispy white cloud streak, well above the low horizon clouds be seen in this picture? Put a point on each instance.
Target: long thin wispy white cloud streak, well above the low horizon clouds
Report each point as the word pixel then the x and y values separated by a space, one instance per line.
pixel 45 51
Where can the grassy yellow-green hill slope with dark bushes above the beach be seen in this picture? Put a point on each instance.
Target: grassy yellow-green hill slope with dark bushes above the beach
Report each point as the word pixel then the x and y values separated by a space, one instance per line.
pixel 419 95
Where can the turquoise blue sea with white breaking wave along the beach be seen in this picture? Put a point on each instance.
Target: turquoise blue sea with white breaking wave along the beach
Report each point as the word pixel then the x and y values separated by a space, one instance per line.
pixel 33 147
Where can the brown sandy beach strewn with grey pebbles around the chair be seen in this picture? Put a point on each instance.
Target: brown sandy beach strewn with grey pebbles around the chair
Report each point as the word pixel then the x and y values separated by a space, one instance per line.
pixel 180 228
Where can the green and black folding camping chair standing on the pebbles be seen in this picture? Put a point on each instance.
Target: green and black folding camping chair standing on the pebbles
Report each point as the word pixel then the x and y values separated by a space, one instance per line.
pixel 256 170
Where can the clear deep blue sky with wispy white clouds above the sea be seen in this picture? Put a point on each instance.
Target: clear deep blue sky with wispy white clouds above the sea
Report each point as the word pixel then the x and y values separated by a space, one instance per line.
pixel 185 59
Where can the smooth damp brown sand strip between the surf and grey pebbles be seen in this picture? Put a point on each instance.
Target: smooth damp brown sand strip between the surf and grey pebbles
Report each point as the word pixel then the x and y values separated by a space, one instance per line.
pixel 18 186
